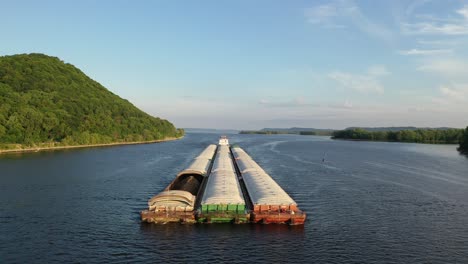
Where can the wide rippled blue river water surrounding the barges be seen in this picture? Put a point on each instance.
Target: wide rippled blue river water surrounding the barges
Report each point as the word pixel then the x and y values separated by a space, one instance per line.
pixel 369 202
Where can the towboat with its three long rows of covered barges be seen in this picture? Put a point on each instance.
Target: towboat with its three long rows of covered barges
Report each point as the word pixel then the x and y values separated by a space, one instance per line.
pixel 223 184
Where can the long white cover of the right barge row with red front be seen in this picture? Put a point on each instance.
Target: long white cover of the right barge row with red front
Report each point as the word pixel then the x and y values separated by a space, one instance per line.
pixel 261 187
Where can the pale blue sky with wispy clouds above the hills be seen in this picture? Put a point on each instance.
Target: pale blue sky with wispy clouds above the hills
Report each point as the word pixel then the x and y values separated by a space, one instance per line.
pixel 254 64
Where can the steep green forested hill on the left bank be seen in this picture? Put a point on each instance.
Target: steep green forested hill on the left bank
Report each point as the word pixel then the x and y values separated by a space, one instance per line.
pixel 46 101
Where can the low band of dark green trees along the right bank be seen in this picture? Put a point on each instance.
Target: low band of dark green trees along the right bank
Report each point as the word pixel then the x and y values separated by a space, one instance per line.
pixel 433 136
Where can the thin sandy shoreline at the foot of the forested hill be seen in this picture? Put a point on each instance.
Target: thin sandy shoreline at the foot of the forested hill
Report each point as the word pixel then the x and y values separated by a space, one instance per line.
pixel 37 149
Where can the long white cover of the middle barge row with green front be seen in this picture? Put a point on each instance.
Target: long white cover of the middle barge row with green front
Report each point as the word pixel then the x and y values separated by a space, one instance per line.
pixel 222 186
